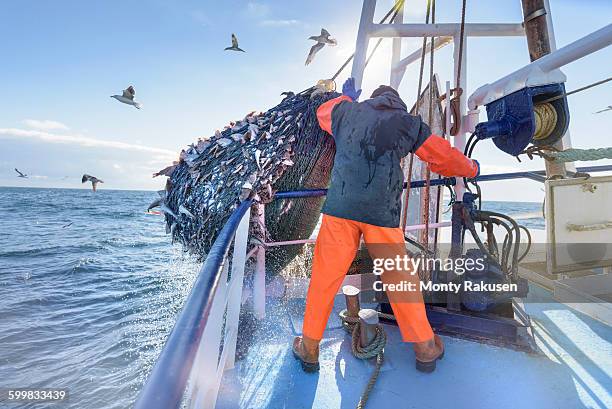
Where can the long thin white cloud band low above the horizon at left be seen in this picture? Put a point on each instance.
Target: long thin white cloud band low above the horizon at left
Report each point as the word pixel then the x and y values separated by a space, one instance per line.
pixel 14 133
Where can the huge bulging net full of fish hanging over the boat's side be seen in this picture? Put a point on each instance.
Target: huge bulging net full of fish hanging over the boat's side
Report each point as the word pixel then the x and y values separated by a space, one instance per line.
pixel 283 149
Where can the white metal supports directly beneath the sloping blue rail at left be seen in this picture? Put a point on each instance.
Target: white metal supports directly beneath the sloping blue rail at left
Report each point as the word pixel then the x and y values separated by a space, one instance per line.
pixel 217 347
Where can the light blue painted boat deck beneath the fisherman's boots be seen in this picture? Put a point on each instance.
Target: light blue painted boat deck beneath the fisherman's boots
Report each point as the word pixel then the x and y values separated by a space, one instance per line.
pixel 572 370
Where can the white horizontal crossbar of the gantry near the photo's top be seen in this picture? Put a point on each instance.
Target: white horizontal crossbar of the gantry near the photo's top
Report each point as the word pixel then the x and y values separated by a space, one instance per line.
pixel 446 30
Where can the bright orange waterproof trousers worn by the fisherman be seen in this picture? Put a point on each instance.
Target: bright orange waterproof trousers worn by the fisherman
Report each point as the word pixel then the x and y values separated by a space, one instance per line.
pixel 335 249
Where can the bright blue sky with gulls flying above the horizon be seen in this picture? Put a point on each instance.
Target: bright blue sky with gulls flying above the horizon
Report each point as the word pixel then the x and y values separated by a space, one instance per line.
pixel 63 59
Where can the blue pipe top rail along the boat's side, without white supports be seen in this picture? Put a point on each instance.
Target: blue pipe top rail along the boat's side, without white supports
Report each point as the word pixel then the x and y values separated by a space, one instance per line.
pixel 166 385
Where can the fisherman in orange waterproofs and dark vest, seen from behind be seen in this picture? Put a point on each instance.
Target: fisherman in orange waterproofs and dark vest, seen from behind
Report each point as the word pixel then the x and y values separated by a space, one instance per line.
pixel 364 198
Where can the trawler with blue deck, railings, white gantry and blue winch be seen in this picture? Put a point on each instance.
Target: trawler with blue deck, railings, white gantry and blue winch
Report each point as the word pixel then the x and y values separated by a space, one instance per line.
pixel 543 344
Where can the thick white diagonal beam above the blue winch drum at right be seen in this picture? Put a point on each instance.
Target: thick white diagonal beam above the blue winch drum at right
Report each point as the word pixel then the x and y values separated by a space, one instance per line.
pixel 544 70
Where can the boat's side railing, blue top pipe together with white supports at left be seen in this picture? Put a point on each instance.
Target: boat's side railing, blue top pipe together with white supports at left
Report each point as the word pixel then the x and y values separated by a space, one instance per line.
pixel 202 343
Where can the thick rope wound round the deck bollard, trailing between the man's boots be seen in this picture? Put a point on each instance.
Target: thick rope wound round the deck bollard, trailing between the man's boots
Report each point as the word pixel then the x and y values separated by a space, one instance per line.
pixel 374 349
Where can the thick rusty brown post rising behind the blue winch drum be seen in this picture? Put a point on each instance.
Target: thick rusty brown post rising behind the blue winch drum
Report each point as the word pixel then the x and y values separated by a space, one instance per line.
pixel 538 43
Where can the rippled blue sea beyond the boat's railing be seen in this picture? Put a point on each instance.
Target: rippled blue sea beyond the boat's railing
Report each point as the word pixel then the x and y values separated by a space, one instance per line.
pixel 90 287
